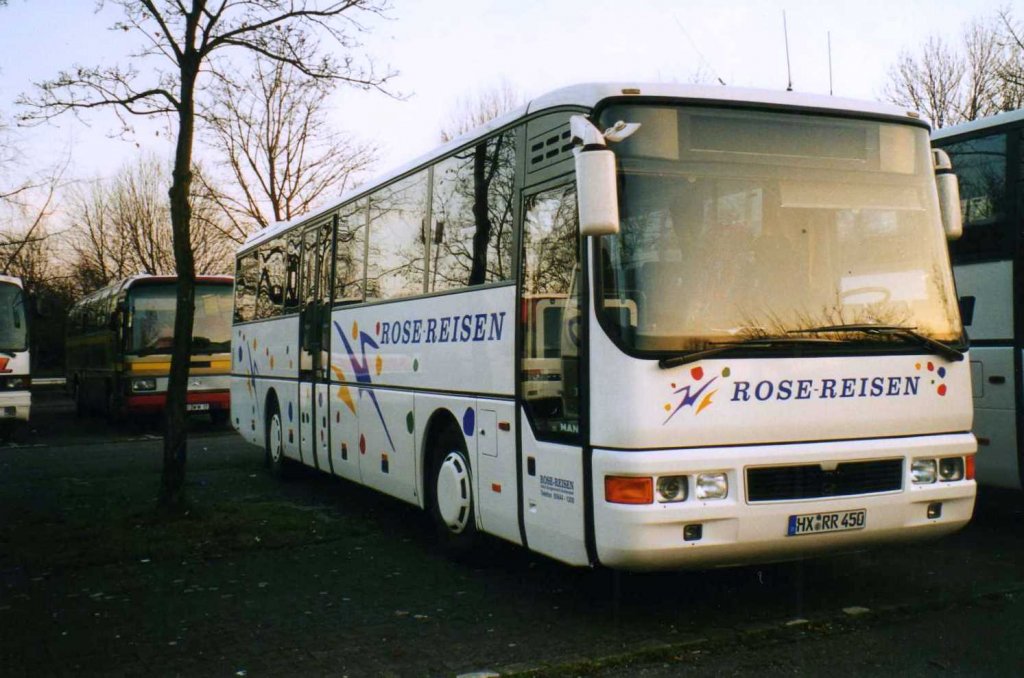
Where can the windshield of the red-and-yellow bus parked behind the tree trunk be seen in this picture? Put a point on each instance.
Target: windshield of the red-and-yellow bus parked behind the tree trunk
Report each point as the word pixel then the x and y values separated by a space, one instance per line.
pixel 152 309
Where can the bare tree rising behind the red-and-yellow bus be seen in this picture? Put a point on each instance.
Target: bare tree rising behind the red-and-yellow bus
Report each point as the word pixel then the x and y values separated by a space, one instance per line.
pixel 122 228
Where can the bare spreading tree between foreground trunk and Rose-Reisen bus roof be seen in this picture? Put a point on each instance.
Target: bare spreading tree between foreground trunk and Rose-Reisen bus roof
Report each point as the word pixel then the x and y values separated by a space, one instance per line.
pixel 279 148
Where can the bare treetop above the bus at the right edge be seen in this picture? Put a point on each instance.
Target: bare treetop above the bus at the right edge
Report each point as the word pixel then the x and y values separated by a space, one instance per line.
pixel 954 84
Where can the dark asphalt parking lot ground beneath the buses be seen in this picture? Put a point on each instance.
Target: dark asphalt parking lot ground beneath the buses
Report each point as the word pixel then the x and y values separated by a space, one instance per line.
pixel 317 576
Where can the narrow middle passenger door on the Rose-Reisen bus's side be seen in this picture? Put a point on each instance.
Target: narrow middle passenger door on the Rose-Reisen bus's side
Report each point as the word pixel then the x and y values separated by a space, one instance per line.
pixel 315 320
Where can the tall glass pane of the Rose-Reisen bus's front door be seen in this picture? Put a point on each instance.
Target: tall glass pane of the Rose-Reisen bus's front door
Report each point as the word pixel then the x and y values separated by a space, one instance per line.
pixel 549 371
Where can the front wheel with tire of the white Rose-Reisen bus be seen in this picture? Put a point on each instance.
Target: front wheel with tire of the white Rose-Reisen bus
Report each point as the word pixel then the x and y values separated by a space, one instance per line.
pixel 453 505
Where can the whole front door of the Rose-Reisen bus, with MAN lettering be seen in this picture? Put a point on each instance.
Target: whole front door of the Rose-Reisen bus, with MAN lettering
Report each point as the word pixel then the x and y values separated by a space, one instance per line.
pixel 552 460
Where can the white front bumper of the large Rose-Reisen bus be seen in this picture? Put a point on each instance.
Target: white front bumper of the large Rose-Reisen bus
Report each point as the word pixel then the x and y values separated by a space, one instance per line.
pixel 736 531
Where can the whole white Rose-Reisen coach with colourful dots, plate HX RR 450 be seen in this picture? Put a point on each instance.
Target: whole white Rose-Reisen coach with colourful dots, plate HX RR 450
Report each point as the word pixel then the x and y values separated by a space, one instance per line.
pixel 760 355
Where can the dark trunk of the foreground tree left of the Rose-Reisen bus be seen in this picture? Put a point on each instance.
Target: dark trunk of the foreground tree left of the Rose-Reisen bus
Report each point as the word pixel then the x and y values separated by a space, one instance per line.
pixel 173 488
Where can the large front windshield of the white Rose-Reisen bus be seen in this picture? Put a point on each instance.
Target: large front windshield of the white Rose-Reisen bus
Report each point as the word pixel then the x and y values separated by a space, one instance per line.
pixel 741 225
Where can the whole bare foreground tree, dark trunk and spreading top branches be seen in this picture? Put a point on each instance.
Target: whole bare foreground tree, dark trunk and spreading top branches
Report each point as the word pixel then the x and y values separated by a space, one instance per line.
pixel 181 43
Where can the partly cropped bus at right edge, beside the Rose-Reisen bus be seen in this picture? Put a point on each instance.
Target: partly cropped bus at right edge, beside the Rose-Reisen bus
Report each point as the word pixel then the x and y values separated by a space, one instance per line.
pixel 990 270
